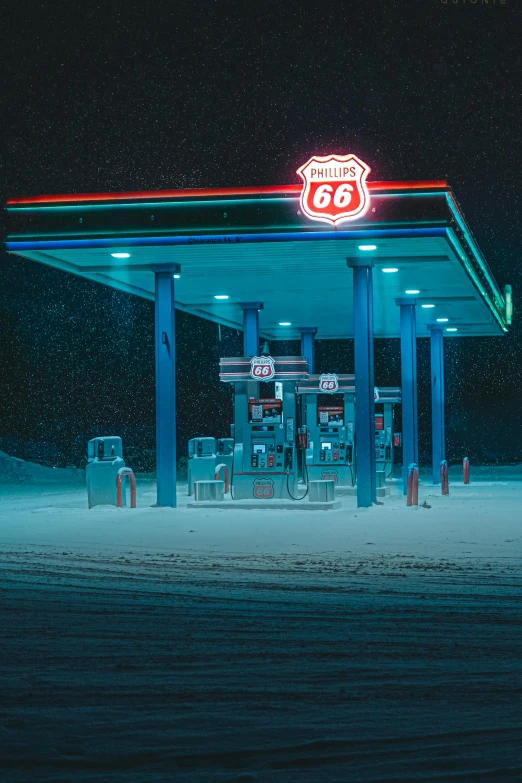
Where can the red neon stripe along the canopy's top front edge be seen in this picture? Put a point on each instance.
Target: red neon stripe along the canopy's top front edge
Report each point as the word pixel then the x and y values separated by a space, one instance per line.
pixel 265 190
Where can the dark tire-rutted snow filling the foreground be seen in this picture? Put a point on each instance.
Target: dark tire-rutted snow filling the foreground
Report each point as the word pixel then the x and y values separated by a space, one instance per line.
pixel 270 668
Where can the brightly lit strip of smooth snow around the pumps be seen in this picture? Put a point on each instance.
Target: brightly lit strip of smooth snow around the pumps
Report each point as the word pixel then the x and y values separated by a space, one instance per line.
pixel 483 519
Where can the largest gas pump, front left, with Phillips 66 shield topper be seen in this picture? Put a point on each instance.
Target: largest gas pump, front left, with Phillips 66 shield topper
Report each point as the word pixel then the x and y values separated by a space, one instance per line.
pixel 265 452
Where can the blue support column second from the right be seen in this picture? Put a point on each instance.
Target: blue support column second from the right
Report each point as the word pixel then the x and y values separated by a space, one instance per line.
pixel 410 439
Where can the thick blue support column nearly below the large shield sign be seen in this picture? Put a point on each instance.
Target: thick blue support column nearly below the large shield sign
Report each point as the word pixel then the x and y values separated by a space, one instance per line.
pixel 364 380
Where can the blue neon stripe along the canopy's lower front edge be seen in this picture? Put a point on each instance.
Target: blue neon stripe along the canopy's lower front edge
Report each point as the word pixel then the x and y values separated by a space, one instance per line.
pixel 227 239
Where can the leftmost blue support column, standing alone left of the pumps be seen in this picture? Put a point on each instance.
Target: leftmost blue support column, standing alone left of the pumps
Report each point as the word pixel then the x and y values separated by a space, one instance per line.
pixel 165 385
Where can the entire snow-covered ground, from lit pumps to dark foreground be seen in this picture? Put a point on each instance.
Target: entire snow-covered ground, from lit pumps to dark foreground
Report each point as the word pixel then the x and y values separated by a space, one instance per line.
pixel 151 645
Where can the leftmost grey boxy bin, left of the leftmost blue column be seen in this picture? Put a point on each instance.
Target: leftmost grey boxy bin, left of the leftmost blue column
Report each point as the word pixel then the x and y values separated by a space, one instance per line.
pixel 104 460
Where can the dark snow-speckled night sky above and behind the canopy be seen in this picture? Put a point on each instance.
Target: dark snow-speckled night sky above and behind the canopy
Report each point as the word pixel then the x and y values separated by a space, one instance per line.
pixel 208 94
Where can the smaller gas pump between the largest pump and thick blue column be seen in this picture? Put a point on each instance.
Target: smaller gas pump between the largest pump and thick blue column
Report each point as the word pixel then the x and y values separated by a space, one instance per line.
pixel 330 416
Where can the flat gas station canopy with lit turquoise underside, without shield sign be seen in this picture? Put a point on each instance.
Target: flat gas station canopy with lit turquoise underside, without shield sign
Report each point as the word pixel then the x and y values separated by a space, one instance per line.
pixel 238 245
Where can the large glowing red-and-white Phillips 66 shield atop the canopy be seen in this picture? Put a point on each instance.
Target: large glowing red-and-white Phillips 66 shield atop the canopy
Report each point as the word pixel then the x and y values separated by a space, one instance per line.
pixel 334 188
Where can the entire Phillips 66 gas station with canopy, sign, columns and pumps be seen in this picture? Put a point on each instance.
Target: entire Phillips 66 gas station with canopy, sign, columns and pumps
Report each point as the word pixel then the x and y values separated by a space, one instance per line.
pixel 335 257
